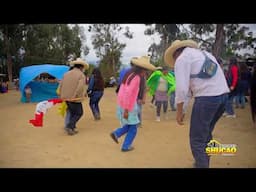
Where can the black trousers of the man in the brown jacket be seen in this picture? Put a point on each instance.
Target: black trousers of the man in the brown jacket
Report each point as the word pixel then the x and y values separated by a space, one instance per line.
pixel 76 112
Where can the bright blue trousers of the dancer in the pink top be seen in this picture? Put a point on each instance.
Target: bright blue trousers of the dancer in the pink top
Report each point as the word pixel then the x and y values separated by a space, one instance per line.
pixel 131 131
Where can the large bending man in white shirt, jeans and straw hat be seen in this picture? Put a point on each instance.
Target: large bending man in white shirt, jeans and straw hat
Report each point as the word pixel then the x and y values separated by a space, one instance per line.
pixel 210 95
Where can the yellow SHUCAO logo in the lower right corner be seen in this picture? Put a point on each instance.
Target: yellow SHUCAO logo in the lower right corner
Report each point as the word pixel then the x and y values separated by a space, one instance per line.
pixel 216 148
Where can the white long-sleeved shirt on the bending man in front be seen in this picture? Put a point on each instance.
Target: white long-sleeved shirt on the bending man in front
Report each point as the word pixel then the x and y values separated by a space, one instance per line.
pixel 190 62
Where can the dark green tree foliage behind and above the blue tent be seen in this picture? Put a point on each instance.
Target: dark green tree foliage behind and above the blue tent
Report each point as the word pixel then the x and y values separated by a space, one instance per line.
pixel 43 43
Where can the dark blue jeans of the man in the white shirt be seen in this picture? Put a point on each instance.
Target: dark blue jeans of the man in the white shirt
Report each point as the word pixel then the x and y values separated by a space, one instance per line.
pixel 205 114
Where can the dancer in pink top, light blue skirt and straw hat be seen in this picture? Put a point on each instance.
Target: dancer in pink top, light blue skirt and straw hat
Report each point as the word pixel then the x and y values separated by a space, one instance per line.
pixel 133 84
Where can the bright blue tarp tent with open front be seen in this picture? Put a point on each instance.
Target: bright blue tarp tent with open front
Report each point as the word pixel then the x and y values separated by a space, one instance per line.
pixel 40 90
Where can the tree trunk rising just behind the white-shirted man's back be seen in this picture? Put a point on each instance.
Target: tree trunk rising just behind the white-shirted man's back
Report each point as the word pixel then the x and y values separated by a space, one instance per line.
pixel 217 47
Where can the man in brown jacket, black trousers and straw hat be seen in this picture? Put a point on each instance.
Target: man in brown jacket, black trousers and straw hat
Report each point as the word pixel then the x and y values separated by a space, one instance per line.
pixel 72 89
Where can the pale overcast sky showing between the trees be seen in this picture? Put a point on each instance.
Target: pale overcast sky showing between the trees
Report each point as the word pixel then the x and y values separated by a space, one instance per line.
pixel 137 46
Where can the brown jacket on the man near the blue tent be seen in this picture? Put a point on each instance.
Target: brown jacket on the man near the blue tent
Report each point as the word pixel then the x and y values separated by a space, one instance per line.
pixel 73 85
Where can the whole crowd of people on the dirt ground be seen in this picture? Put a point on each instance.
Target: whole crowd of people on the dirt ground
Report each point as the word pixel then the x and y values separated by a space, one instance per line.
pixel 188 72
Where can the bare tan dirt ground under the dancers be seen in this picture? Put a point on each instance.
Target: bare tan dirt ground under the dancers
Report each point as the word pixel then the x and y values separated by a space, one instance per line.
pixel 162 144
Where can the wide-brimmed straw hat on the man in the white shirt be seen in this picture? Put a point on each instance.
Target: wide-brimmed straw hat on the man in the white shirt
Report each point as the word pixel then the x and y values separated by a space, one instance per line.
pixel 168 55
